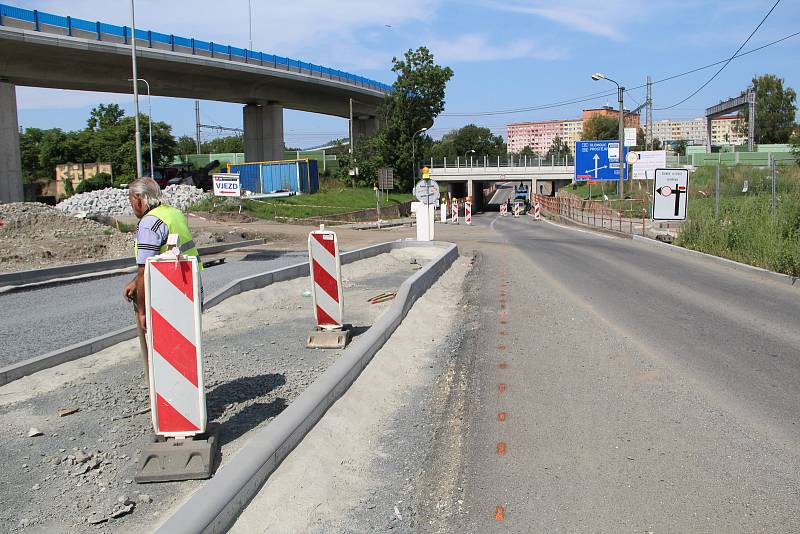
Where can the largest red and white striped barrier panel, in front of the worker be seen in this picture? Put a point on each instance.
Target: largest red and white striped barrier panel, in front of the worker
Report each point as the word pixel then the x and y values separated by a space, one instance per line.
pixel 174 335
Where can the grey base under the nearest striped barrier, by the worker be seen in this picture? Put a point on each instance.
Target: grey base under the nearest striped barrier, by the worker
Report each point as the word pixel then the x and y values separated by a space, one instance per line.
pixel 169 459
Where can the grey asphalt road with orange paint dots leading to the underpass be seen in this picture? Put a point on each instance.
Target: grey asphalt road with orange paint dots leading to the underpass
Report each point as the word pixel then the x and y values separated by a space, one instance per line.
pixel 616 388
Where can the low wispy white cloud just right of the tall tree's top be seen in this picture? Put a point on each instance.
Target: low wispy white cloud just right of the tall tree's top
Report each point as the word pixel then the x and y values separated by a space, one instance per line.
pixel 477 47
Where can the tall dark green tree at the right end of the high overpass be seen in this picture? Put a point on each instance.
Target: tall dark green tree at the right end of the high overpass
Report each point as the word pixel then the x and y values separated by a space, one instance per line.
pixel 417 98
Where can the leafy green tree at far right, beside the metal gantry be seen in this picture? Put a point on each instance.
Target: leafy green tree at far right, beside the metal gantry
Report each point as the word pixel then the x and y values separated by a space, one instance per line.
pixel 775 110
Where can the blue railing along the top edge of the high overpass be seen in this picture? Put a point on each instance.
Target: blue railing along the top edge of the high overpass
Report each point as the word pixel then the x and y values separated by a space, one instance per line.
pixel 100 31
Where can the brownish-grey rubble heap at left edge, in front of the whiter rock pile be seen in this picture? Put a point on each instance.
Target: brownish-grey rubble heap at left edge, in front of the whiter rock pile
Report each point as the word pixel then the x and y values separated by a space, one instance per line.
pixel 33 235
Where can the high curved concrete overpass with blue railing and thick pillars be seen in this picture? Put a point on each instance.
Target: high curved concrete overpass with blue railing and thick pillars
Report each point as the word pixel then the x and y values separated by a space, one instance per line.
pixel 40 49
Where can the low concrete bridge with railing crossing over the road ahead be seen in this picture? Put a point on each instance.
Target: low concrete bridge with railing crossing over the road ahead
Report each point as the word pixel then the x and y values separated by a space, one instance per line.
pixel 476 176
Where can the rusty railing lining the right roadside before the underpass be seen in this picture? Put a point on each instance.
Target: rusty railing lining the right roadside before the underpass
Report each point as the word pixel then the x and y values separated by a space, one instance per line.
pixel 627 216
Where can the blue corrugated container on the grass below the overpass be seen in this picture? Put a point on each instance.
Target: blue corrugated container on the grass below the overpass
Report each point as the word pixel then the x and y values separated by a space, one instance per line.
pixel 300 176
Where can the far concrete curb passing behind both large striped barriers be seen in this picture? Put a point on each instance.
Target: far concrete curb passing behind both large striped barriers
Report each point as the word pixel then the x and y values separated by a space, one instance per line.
pixel 86 348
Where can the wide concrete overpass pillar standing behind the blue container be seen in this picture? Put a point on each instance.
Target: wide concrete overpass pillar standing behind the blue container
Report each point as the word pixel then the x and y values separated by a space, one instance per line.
pixel 263 132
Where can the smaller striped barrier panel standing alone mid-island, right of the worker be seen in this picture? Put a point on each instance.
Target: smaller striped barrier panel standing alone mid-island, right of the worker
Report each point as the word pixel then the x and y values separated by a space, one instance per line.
pixel 326 277
